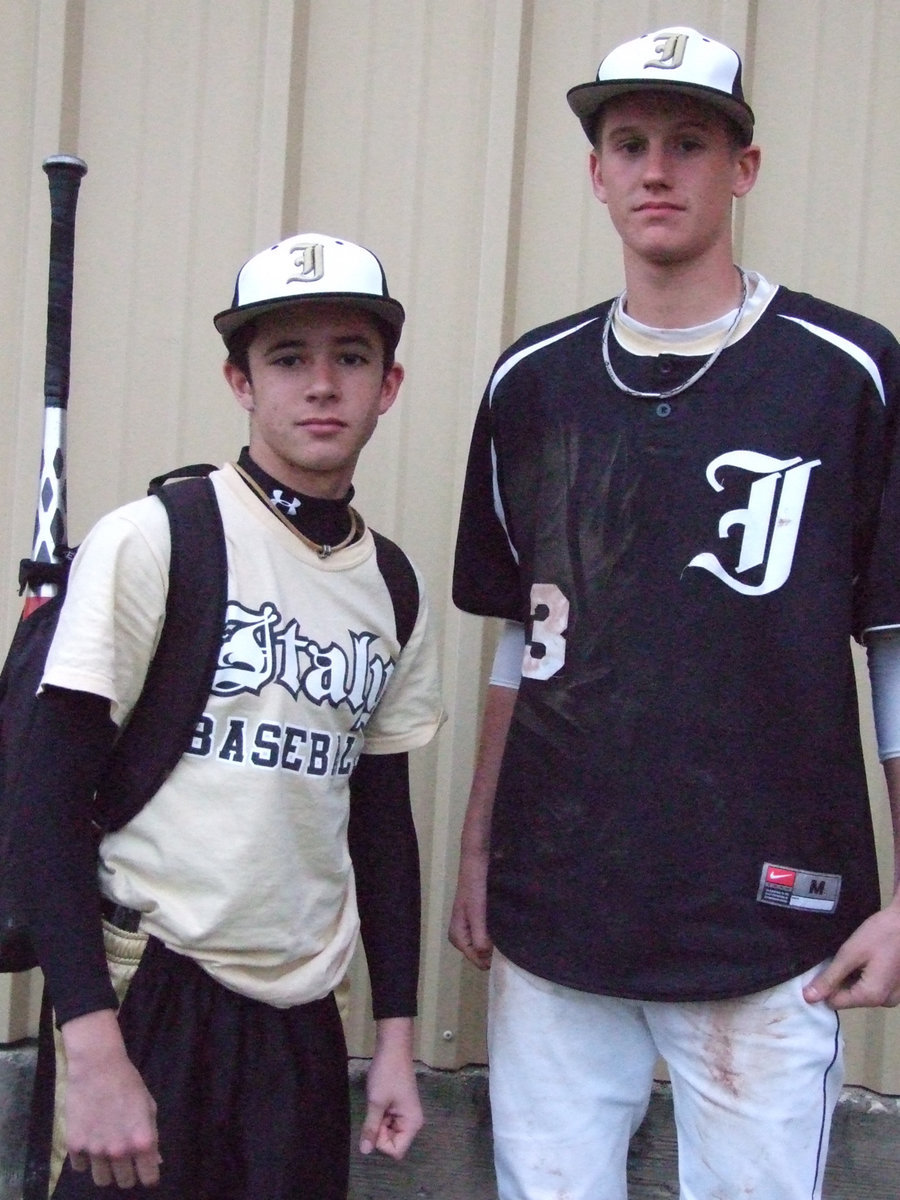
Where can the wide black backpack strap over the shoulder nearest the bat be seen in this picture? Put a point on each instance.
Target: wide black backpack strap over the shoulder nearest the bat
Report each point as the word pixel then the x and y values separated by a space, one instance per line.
pixel 181 676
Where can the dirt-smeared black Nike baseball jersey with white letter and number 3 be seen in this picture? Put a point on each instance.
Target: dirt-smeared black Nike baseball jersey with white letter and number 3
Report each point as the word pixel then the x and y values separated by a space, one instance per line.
pixel 682 811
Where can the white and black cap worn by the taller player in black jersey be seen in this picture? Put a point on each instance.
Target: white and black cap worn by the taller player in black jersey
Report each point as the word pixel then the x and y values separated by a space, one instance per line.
pixel 677 57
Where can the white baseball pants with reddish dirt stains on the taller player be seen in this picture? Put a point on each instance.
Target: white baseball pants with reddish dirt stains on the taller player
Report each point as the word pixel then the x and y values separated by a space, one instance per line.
pixel 754 1082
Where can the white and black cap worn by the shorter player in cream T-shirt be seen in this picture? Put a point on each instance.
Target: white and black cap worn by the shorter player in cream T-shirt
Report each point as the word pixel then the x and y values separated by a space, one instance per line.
pixel 310 267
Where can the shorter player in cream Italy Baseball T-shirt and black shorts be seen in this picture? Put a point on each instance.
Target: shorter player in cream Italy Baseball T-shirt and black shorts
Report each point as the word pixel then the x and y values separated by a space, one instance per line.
pixel 202 1048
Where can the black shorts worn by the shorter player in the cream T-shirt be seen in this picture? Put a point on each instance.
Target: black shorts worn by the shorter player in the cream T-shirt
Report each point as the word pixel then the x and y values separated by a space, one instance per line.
pixel 253 1101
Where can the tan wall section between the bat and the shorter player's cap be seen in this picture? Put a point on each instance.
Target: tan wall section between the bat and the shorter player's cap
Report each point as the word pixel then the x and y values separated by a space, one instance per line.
pixel 171 208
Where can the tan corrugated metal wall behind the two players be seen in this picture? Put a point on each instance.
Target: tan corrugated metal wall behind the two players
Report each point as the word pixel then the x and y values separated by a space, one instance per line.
pixel 437 133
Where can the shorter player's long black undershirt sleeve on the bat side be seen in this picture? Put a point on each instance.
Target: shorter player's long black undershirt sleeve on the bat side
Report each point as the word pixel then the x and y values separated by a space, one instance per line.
pixel 63 761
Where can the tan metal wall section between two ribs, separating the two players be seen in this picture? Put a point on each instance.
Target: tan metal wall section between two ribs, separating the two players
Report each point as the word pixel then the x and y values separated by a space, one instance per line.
pixel 411 154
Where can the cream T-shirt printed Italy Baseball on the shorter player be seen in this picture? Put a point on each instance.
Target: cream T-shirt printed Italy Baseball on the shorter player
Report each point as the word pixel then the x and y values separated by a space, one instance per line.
pixel 241 860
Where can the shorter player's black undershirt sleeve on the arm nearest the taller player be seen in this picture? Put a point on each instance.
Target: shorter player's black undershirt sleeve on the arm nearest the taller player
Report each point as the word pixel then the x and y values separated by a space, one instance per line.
pixel 386 860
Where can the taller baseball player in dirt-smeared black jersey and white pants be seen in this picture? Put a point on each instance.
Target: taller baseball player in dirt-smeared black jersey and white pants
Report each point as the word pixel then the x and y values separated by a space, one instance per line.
pixel 685 503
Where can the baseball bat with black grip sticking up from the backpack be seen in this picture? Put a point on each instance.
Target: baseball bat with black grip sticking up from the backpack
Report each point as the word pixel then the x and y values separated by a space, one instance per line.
pixel 64 173
